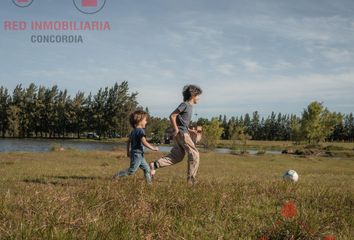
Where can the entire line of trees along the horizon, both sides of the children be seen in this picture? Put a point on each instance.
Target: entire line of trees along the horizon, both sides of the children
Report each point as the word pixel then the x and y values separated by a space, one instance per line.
pixel 38 111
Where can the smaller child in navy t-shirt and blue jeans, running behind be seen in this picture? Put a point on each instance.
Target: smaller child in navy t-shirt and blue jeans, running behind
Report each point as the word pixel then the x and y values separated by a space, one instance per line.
pixel 135 149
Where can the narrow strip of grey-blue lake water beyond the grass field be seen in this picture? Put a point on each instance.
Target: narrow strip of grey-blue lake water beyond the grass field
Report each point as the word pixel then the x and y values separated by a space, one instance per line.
pixel 45 145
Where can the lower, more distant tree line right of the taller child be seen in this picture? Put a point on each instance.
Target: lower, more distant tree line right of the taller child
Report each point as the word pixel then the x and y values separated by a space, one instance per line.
pixel 316 124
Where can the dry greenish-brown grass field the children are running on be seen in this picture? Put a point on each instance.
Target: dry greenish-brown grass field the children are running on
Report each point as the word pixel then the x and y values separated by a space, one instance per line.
pixel 70 195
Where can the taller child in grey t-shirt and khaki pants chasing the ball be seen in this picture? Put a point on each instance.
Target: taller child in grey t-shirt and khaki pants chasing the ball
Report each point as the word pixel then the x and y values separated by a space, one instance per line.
pixel 183 142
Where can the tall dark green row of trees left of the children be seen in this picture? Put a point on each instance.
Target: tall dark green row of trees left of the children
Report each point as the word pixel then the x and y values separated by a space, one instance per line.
pixel 50 112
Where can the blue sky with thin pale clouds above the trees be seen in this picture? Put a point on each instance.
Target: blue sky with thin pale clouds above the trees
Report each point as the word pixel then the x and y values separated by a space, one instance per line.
pixel 246 55
